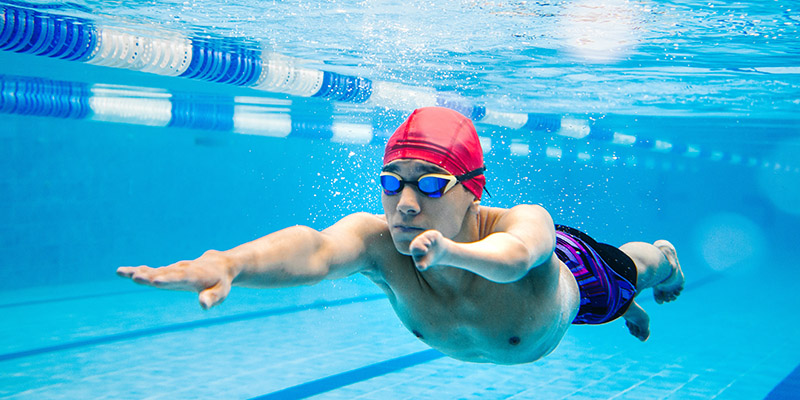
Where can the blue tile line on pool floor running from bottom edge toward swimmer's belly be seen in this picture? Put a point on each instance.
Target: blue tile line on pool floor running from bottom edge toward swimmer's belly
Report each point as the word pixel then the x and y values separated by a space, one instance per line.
pixel 336 381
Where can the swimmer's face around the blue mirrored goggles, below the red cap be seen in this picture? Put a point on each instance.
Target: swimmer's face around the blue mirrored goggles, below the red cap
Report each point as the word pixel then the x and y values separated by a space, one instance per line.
pixel 410 212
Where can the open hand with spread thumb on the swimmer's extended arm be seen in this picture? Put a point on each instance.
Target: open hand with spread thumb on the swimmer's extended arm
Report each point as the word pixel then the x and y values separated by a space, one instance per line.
pixel 210 275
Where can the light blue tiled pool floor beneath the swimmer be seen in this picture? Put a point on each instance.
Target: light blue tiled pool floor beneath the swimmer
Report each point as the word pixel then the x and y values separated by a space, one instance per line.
pixel 726 338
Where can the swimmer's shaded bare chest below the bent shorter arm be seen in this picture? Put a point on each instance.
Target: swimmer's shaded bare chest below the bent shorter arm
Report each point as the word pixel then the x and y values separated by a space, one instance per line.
pixel 478 320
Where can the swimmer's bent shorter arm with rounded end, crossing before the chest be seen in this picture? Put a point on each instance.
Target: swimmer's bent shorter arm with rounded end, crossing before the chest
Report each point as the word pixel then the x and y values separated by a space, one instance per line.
pixel 524 238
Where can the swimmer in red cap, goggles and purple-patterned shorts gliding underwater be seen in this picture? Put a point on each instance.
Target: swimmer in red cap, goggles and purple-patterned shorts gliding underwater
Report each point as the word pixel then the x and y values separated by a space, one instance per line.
pixel 479 284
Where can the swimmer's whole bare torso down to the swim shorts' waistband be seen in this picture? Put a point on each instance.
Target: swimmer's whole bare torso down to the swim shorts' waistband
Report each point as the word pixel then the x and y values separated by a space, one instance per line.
pixel 473 319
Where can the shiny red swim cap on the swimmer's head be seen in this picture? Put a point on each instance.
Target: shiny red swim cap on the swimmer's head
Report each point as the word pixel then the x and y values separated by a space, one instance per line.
pixel 443 137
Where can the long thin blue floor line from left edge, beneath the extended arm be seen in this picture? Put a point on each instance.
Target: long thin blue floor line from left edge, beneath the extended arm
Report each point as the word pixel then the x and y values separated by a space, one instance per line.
pixel 187 326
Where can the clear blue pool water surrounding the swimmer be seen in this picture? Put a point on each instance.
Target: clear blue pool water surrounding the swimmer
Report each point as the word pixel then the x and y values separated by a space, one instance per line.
pixel 79 197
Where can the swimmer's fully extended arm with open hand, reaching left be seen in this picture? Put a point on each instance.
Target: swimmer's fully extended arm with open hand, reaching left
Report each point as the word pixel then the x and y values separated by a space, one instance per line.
pixel 293 256
